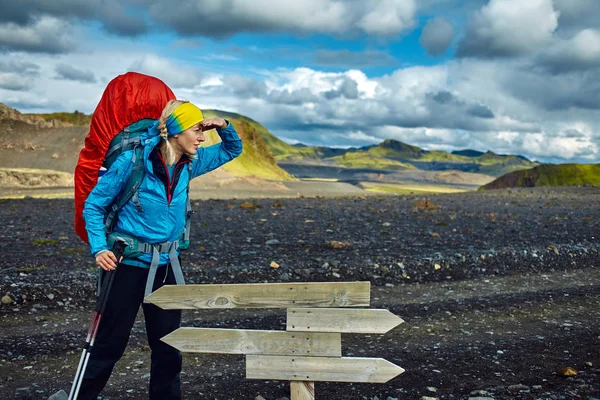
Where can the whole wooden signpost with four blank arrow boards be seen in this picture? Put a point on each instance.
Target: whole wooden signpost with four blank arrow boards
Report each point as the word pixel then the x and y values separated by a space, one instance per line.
pixel 308 350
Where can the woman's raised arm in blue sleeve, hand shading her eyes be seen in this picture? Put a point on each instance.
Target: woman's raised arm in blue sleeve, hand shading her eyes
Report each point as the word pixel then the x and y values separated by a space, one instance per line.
pixel 212 157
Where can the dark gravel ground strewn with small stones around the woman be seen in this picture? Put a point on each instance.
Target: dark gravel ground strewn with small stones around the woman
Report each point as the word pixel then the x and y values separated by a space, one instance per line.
pixel 499 292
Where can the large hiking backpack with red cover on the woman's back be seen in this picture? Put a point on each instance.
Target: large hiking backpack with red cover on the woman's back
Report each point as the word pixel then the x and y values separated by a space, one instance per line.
pixel 129 105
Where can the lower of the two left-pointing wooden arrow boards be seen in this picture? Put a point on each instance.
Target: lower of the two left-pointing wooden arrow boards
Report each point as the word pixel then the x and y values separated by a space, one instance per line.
pixel 243 341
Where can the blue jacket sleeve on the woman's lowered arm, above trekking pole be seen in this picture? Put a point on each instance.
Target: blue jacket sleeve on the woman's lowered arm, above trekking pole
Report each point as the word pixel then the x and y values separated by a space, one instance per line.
pixel 102 197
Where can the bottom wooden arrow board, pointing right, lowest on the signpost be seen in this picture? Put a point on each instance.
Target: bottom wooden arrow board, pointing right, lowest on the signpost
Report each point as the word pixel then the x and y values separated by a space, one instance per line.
pixel 344 369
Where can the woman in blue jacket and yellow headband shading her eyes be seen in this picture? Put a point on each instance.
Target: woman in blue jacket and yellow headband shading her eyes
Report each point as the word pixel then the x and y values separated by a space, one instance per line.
pixel 155 220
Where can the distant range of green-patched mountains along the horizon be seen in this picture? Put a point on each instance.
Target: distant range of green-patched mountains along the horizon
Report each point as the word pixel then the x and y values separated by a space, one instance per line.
pixel 396 155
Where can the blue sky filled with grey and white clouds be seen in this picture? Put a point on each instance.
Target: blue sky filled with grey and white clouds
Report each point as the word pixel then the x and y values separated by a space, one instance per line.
pixel 510 76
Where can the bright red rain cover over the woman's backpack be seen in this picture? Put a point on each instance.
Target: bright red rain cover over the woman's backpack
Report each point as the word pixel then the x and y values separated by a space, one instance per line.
pixel 127 99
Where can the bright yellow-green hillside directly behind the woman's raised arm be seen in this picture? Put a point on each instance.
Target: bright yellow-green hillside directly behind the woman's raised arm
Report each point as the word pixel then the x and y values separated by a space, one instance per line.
pixel 256 159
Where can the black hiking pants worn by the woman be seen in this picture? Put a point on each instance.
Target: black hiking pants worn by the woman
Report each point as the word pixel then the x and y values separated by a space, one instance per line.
pixel 124 300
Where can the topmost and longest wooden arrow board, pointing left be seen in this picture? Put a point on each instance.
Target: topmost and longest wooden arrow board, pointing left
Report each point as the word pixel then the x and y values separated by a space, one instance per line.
pixel 262 295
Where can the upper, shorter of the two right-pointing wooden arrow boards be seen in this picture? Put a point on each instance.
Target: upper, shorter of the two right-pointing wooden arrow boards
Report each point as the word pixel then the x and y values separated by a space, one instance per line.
pixel 341 320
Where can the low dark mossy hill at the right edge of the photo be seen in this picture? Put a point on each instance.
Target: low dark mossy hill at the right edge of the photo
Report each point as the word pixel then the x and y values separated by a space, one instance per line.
pixel 549 175
